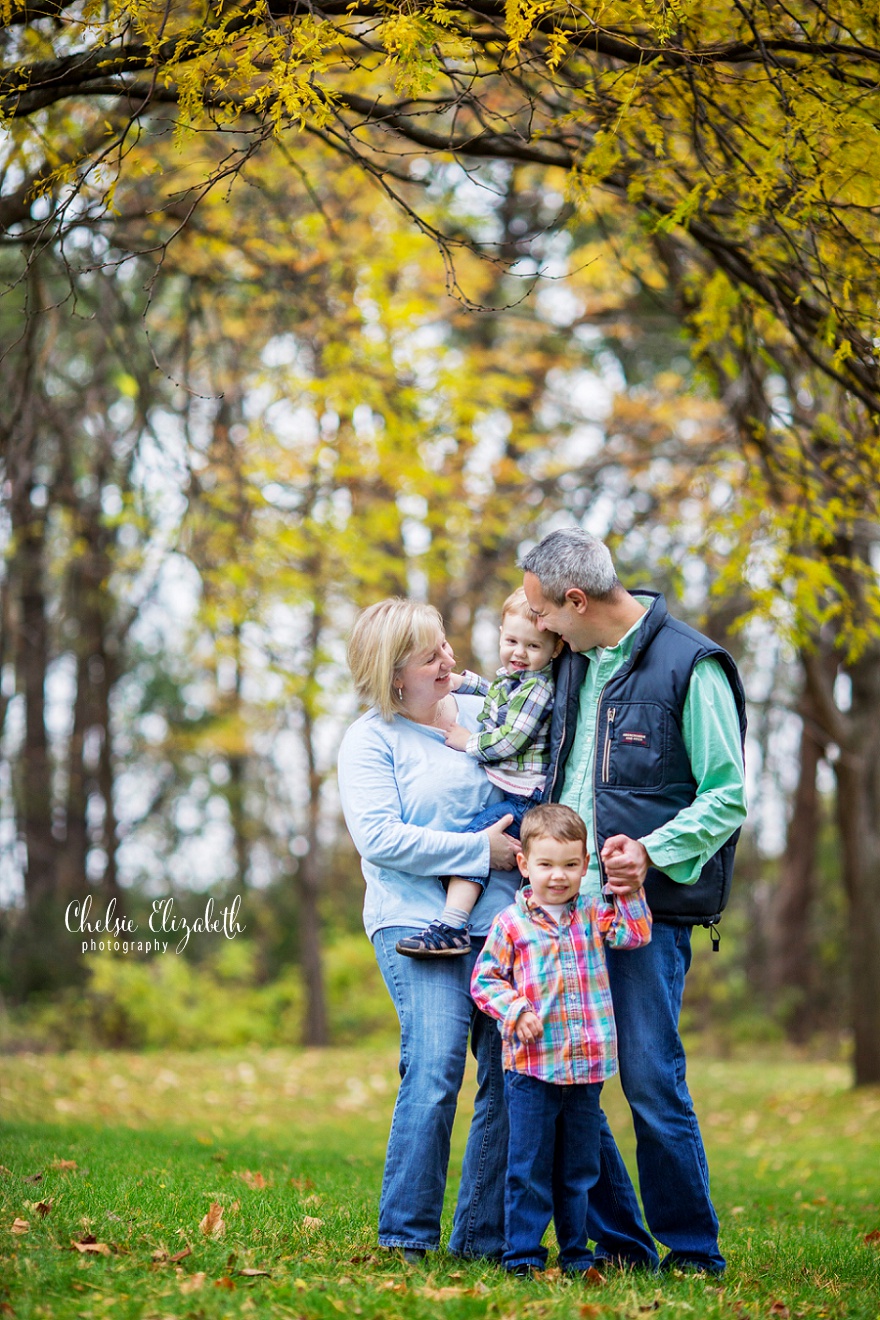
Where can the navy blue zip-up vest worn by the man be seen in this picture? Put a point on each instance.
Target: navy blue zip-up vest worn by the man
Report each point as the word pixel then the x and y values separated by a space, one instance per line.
pixel 642 774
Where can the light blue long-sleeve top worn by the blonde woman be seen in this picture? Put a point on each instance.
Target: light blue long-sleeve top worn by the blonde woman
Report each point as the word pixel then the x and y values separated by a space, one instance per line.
pixel 407 798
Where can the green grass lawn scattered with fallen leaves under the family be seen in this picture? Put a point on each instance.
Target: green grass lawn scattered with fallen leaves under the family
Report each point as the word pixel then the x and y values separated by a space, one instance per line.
pixel 113 1162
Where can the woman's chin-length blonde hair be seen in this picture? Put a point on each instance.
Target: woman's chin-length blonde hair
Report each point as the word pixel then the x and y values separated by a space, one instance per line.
pixel 383 641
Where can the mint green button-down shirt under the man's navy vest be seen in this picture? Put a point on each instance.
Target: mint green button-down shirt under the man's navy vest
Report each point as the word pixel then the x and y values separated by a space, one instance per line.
pixel 712 736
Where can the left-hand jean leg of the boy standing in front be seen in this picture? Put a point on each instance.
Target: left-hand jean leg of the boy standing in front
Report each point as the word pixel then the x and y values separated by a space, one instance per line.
pixel 534 1108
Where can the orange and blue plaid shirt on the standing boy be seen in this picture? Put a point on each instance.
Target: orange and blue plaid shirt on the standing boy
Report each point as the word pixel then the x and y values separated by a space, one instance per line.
pixel 560 973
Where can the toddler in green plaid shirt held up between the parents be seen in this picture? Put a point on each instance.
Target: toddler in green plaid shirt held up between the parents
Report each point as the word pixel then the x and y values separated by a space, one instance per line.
pixel 513 744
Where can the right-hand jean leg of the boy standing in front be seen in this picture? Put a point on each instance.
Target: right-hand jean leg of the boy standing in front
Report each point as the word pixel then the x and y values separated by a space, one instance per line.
pixel 576 1169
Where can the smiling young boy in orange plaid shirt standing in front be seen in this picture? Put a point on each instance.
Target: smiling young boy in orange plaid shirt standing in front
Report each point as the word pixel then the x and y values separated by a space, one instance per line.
pixel 543 975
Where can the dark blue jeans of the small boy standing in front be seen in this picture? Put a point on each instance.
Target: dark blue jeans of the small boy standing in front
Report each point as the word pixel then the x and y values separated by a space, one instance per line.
pixel 553 1161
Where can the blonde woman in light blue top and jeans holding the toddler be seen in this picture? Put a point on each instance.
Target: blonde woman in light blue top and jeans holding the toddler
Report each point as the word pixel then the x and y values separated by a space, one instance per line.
pixel 407 799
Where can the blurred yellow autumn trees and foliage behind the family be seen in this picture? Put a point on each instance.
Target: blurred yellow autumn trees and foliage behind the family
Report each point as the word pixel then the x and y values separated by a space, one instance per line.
pixel 250 389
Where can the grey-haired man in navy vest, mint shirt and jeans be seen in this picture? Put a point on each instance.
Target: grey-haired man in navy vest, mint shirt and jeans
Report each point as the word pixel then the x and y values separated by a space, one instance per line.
pixel 647 746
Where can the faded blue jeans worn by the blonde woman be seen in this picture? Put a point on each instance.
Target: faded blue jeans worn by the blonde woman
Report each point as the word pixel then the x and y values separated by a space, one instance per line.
pixel 437 1014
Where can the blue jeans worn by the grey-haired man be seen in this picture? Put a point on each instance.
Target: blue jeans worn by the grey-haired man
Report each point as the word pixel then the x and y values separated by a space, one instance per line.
pixel 647 988
